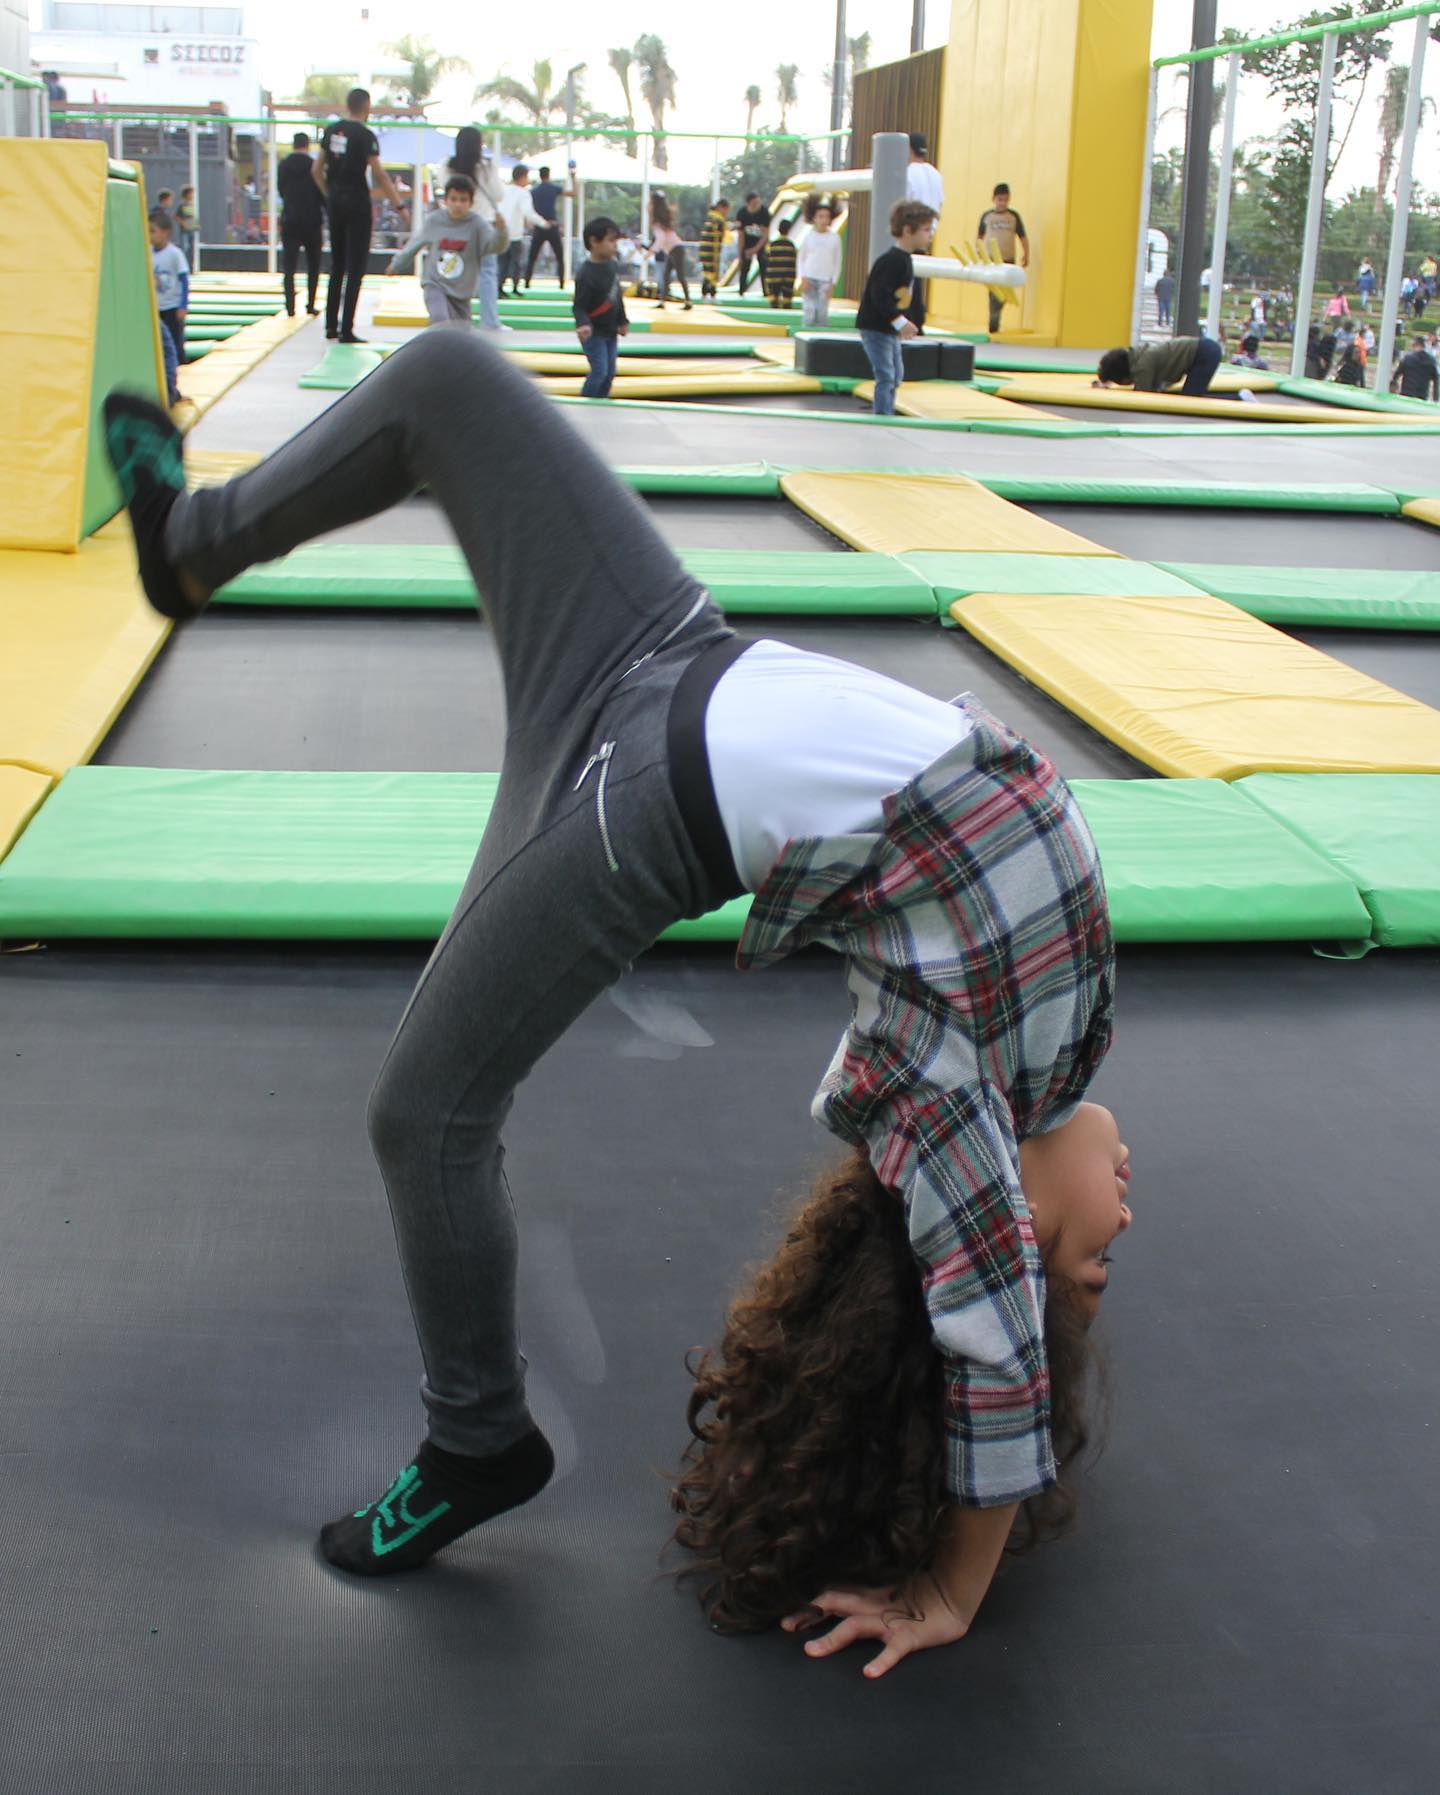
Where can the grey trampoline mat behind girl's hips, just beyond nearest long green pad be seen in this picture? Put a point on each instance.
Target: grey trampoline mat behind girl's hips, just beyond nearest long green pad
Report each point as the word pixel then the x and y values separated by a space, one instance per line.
pixel 421 692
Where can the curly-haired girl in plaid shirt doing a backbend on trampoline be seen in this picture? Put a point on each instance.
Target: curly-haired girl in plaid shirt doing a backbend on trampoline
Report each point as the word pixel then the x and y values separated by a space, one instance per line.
pixel 902 1376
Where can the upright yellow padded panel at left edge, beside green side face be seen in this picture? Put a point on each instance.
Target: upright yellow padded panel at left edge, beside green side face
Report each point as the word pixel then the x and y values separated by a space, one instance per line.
pixel 51 243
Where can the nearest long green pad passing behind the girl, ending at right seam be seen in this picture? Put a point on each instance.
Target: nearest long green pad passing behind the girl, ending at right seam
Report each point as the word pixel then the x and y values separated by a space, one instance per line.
pixel 139 852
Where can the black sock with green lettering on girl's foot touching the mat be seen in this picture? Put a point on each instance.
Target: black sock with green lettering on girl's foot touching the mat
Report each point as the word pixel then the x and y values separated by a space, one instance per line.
pixel 435 1500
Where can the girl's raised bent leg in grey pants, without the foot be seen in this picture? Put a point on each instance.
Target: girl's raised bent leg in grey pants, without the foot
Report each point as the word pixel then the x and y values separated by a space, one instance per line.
pixel 574 593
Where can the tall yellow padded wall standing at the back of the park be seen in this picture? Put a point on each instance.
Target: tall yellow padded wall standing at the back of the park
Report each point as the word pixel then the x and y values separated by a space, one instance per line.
pixel 1051 98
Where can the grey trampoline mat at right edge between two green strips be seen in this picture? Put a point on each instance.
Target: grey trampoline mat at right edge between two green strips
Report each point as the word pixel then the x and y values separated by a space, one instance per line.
pixel 1263 539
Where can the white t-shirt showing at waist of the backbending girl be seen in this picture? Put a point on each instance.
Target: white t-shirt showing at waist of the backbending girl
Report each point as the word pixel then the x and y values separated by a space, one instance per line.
pixel 809 746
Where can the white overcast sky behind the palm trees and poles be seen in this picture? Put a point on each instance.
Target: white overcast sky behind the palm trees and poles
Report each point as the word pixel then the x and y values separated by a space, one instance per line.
pixel 719 51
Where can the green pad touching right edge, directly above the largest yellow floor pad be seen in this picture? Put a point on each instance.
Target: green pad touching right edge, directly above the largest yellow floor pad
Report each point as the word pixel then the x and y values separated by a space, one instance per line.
pixel 1357 599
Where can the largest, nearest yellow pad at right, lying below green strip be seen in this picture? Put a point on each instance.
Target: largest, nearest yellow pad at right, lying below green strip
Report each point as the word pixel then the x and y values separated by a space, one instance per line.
pixel 1197 688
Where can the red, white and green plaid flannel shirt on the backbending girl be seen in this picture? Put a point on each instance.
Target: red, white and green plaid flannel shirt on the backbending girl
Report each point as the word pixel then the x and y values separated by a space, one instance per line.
pixel 981 979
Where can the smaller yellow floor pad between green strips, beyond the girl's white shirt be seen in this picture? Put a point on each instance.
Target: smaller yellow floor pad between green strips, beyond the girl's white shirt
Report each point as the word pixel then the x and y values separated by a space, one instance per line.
pixel 904 514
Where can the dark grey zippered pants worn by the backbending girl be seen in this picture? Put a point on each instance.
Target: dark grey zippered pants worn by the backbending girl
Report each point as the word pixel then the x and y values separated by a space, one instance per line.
pixel 586 859
